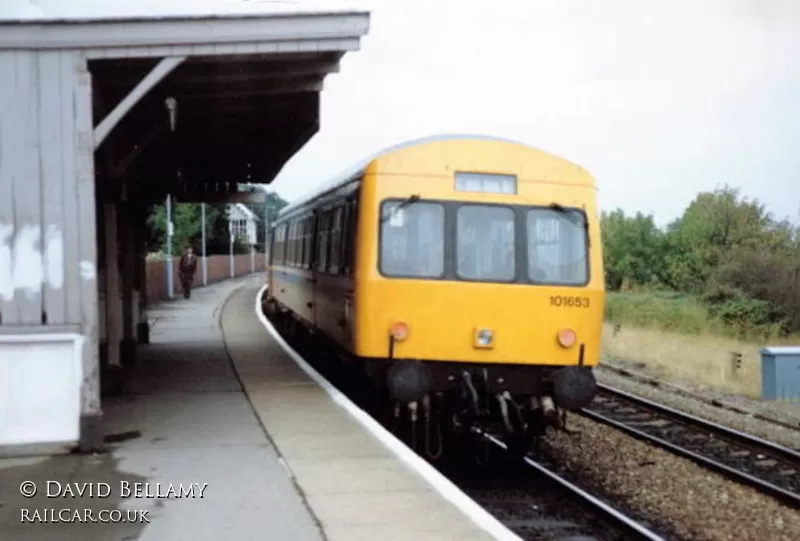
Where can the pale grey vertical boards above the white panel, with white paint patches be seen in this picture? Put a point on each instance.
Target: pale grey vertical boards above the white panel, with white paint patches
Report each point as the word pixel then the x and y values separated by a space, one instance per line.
pixel 39 260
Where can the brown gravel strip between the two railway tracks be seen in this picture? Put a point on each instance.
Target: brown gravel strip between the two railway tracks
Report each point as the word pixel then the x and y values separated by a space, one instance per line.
pixel 698 504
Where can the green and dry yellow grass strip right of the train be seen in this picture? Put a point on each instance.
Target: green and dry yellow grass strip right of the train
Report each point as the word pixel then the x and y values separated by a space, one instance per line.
pixel 674 337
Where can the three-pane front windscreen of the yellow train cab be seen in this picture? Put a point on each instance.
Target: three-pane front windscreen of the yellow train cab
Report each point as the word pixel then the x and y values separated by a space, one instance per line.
pixel 486 243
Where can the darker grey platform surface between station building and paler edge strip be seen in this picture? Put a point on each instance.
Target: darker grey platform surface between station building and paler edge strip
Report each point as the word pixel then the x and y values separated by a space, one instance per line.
pixel 187 421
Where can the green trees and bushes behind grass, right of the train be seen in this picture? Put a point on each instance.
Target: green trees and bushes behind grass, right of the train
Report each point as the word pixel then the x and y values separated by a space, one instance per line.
pixel 724 249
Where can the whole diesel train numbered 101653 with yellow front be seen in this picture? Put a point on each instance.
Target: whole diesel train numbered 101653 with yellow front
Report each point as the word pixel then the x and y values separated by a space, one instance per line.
pixel 461 274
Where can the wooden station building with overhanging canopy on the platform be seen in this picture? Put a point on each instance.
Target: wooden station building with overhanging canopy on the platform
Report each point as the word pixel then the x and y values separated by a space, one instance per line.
pixel 102 114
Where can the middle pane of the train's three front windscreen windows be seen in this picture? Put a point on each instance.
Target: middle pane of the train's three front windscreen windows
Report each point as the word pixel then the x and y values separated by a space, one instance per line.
pixel 485 243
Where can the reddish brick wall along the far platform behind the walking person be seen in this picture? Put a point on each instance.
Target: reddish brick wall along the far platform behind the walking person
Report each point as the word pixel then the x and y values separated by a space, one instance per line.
pixel 218 270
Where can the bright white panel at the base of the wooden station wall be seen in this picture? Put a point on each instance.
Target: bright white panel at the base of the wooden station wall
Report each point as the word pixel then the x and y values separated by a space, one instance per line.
pixel 40 388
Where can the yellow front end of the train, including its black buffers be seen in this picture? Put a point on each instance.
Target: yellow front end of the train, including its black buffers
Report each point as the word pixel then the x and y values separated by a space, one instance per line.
pixel 480 259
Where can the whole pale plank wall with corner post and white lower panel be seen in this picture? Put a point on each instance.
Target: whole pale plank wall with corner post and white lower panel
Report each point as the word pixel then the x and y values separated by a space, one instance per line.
pixel 48 295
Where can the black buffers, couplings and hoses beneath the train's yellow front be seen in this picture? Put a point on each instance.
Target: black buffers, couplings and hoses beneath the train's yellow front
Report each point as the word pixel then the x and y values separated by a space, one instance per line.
pixel 514 400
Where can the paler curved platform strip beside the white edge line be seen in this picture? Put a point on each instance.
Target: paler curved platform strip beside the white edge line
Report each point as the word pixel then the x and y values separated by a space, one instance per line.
pixel 354 485
